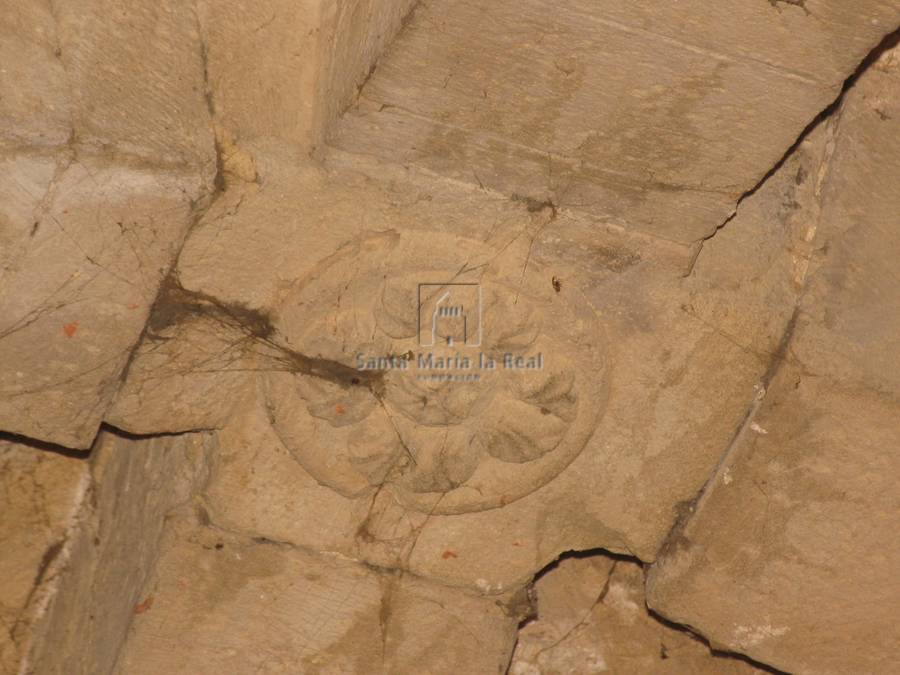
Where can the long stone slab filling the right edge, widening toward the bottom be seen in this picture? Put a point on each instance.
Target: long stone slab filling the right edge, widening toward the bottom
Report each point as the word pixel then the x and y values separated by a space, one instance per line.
pixel 799 522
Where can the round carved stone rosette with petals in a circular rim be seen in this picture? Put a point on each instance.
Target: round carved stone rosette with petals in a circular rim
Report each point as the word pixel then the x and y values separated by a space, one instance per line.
pixel 439 427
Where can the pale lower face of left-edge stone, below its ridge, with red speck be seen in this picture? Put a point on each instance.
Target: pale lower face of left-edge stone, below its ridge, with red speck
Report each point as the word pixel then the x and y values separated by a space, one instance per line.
pixel 87 244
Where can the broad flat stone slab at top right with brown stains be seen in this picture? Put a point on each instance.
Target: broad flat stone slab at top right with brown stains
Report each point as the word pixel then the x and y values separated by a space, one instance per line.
pixel 654 118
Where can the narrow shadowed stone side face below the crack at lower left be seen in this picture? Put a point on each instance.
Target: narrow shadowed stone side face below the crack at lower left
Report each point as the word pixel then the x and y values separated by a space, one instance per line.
pixel 133 485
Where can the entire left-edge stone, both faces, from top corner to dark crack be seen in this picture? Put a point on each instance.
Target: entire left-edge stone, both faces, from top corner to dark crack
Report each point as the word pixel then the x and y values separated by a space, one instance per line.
pixel 105 160
